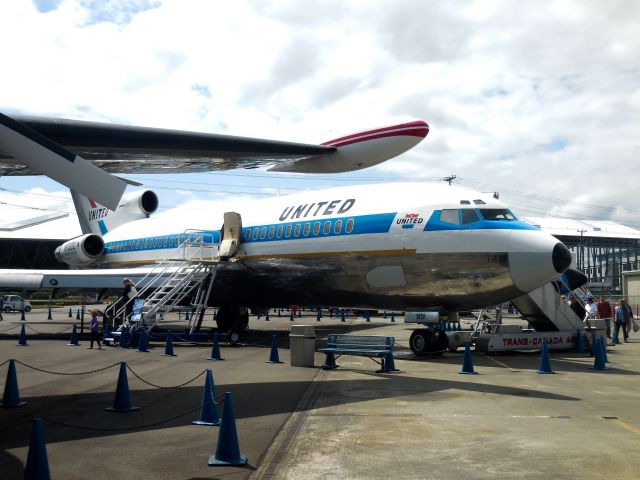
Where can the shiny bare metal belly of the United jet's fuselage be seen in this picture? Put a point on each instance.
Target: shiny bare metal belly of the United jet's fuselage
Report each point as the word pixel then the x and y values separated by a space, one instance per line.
pixel 456 281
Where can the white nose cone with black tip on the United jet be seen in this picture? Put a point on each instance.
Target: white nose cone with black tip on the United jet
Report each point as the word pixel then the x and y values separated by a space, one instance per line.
pixel 538 260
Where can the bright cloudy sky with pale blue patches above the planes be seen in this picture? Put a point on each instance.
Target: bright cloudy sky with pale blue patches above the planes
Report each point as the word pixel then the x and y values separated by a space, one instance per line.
pixel 539 100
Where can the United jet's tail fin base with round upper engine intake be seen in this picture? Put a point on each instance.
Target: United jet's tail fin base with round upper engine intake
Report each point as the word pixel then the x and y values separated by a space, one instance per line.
pixel 95 218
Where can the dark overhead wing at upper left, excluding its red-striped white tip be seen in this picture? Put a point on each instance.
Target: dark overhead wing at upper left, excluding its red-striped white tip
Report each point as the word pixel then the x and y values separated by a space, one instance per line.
pixel 129 149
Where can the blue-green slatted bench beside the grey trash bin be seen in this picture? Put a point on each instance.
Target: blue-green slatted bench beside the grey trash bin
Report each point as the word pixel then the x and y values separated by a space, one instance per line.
pixel 371 346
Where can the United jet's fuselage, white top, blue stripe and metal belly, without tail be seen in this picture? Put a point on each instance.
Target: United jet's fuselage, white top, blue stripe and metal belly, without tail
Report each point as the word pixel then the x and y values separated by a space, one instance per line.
pixel 402 245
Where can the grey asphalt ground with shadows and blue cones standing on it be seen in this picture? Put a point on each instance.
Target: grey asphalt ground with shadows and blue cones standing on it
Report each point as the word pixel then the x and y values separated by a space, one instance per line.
pixel 425 421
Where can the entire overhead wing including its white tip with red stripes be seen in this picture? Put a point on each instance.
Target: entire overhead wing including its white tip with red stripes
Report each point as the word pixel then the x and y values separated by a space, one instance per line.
pixel 130 149
